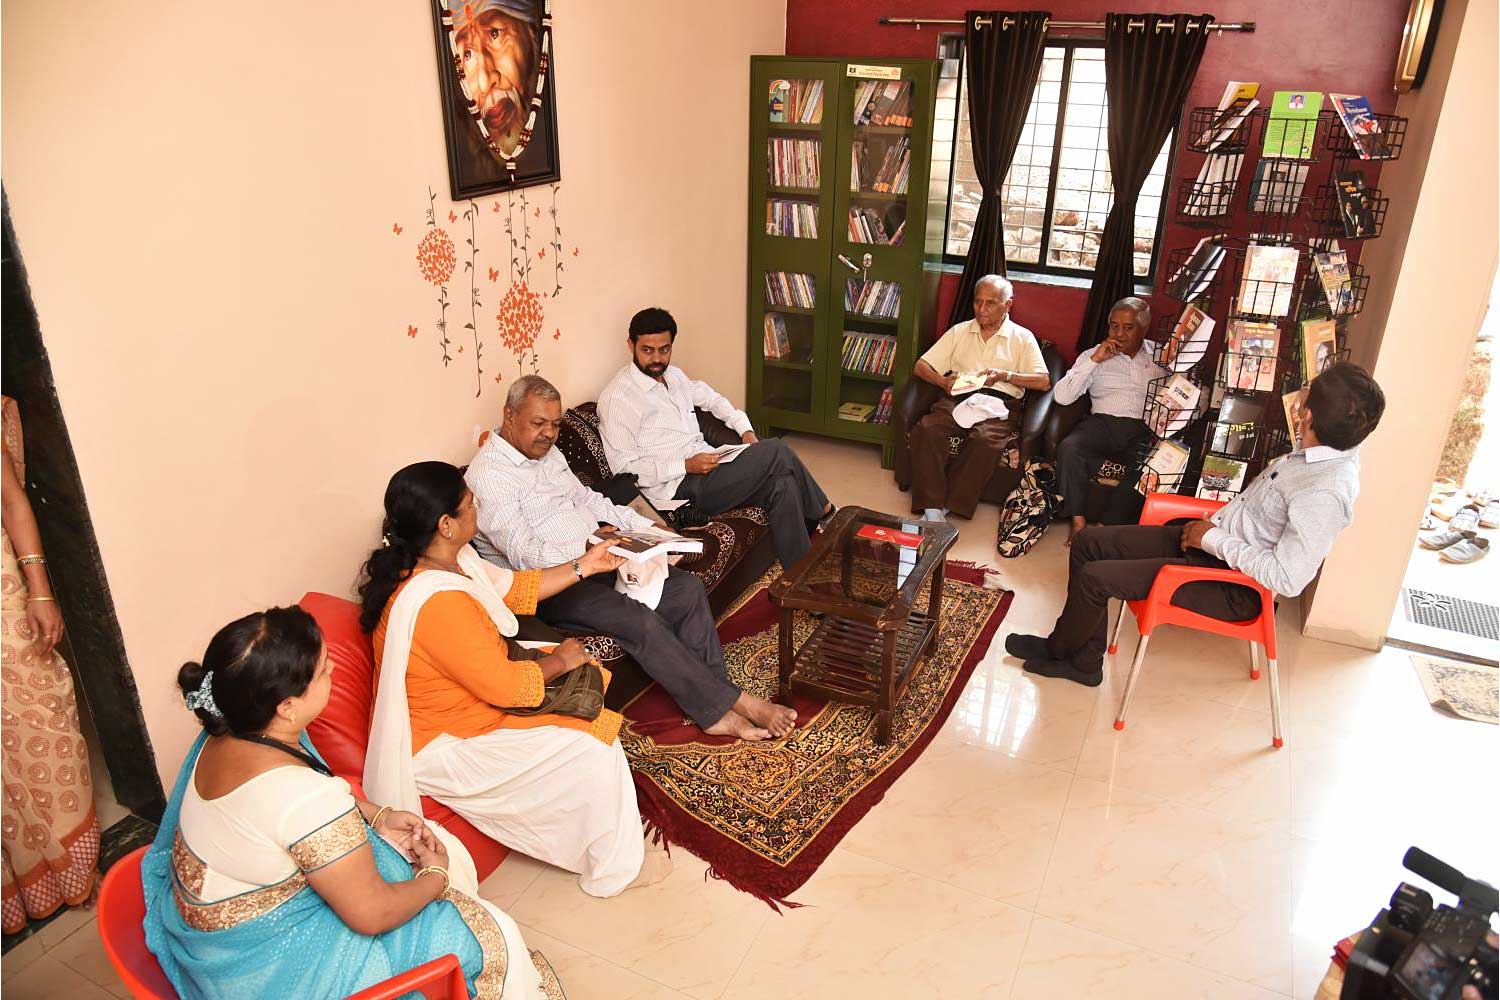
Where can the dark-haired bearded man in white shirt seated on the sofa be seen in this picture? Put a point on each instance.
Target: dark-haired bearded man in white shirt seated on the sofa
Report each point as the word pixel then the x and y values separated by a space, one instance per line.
pixel 647 421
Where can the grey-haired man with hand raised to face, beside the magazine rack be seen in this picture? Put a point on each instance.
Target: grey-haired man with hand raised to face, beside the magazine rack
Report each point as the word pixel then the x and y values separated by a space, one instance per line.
pixel 1117 376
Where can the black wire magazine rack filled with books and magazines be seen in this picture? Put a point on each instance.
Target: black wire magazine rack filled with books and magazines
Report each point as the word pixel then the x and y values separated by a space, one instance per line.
pixel 1285 202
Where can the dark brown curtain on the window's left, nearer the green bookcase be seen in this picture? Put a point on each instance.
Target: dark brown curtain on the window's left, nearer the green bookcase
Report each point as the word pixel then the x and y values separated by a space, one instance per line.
pixel 1004 61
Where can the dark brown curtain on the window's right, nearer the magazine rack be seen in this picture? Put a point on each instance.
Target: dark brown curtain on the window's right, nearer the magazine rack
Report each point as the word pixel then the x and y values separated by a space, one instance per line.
pixel 1148 71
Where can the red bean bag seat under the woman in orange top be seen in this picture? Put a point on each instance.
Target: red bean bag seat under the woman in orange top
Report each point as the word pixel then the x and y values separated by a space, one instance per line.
pixel 343 731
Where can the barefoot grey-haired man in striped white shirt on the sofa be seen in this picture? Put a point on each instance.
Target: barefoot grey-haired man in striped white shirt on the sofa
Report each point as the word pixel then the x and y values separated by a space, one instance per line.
pixel 535 513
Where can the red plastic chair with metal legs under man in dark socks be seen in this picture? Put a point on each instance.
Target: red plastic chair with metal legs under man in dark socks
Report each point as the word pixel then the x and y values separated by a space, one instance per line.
pixel 1159 609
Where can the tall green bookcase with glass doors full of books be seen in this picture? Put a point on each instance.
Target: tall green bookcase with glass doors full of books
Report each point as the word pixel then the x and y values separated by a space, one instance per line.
pixel 805 145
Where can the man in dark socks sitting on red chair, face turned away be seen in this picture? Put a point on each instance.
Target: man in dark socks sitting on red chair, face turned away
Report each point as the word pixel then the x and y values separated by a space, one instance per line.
pixel 1276 533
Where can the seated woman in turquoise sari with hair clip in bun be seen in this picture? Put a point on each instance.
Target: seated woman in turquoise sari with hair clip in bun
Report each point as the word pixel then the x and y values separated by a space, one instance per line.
pixel 271 879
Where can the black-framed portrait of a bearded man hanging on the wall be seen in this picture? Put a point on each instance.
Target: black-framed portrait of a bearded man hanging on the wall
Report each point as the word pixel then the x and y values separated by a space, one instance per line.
pixel 497 89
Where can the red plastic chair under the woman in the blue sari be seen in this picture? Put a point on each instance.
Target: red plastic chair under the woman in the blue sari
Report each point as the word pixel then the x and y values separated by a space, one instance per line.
pixel 122 914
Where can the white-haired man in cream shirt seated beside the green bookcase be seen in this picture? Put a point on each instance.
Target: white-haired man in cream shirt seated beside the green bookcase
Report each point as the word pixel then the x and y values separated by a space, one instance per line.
pixel 1012 362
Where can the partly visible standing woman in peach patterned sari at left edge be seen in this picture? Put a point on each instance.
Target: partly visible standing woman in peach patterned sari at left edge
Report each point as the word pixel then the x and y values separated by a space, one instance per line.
pixel 50 830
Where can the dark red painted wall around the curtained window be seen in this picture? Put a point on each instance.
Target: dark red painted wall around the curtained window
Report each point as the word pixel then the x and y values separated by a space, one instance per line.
pixel 1336 46
